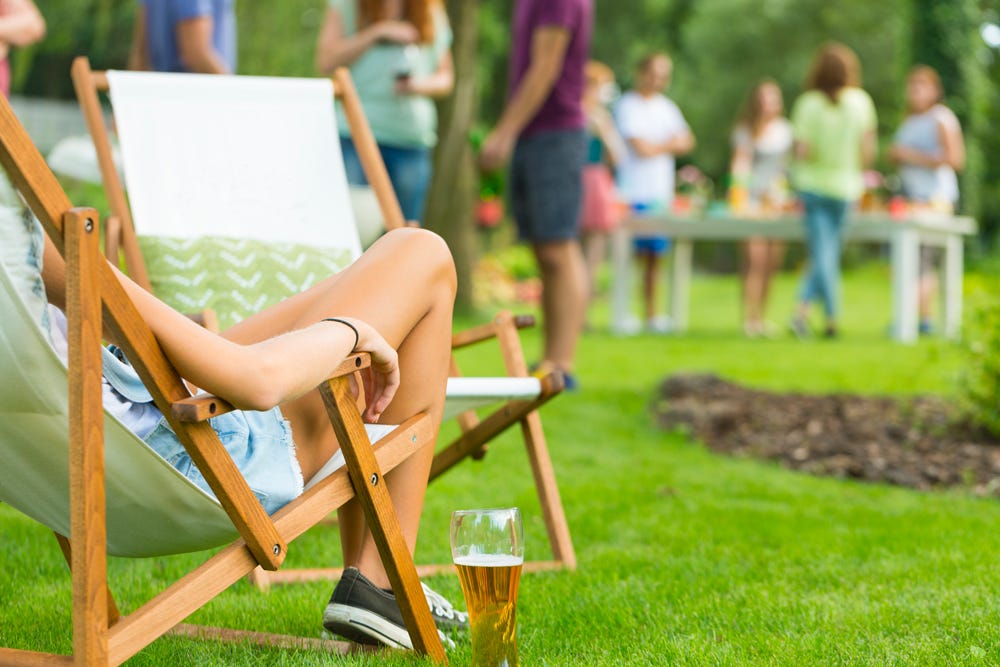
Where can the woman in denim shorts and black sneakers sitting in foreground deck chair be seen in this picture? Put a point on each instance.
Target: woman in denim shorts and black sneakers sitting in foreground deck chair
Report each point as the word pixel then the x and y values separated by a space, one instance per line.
pixel 395 303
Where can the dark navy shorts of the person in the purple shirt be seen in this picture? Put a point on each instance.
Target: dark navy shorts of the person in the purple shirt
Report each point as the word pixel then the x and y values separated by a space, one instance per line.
pixel 546 185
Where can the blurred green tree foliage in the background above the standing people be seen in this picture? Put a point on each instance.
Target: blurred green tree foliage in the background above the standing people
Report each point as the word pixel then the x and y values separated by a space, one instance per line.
pixel 720 47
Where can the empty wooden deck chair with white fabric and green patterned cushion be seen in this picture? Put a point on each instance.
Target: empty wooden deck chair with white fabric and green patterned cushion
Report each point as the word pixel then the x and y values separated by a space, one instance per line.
pixel 270 145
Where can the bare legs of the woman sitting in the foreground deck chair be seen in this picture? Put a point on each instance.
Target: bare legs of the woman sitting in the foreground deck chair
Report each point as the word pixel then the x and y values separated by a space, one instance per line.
pixel 404 286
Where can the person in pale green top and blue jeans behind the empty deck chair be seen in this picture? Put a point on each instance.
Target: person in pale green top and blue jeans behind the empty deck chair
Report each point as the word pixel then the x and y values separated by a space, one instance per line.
pixel 399 53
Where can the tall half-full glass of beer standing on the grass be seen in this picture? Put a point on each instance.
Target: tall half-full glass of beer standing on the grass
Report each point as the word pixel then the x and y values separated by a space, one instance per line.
pixel 488 549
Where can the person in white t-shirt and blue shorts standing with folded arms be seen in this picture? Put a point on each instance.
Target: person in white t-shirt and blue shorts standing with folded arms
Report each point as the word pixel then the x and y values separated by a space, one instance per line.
pixel 654 131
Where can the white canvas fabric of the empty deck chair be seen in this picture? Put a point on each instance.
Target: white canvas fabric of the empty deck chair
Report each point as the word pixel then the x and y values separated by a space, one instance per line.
pixel 252 158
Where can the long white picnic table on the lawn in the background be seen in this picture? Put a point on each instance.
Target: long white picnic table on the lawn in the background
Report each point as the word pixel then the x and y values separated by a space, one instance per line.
pixel 904 235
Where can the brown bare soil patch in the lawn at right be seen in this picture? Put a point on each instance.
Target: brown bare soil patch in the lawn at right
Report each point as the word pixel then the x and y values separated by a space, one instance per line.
pixel 915 442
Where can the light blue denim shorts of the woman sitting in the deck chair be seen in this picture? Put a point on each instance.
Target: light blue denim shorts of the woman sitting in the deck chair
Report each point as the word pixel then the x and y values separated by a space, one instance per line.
pixel 261 446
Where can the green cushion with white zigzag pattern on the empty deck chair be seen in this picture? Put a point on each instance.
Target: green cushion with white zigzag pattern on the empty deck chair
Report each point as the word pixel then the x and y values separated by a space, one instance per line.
pixel 233 277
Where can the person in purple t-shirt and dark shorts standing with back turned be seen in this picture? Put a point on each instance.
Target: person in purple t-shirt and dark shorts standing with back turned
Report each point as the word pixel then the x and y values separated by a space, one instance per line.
pixel 541 131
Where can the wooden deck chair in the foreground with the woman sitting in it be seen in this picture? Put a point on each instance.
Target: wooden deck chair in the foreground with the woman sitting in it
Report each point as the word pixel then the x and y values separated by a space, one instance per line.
pixel 76 469
